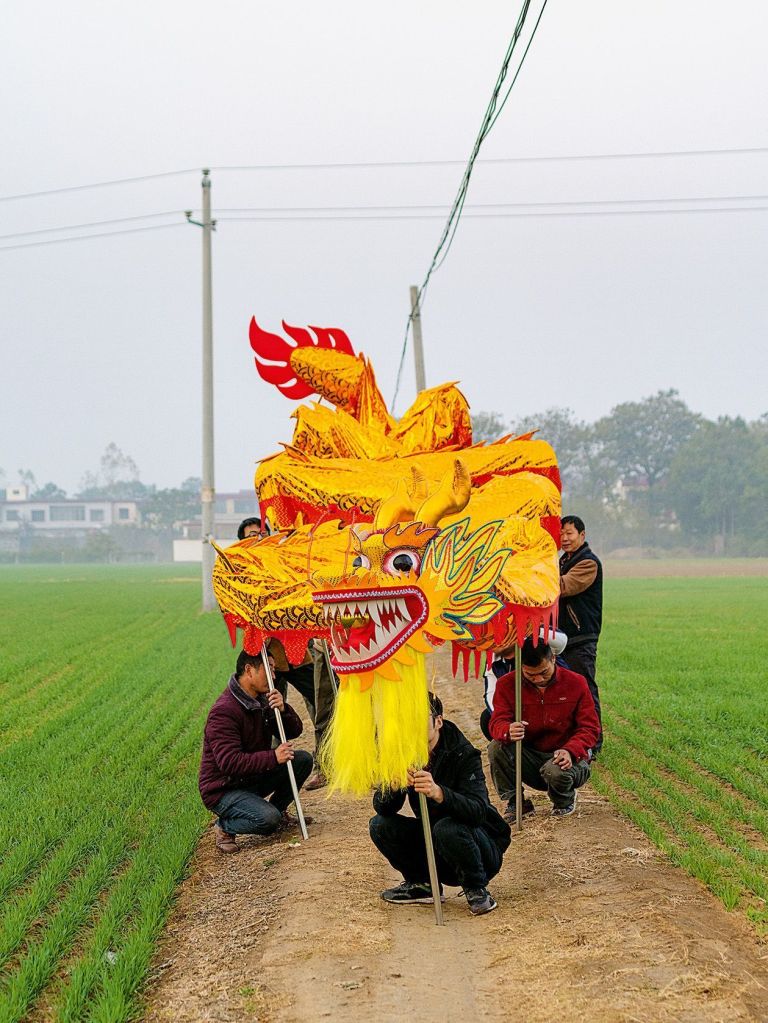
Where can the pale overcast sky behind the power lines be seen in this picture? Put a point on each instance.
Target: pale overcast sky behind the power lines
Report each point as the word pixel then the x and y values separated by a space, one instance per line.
pixel 102 338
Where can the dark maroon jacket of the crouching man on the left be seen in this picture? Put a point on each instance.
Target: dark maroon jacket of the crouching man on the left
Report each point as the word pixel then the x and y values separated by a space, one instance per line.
pixel 238 744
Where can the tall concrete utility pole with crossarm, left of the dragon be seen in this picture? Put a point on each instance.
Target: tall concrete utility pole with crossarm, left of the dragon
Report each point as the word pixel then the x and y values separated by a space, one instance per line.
pixel 208 491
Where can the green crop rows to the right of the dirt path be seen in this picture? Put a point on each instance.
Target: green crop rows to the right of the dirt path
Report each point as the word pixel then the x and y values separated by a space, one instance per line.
pixel 683 672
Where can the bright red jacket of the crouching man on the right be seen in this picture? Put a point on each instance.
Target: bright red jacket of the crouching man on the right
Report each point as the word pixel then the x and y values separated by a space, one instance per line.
pixel 562 717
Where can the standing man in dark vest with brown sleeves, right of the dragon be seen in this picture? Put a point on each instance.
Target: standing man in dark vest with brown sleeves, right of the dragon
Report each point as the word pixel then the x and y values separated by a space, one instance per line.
pixel 580 614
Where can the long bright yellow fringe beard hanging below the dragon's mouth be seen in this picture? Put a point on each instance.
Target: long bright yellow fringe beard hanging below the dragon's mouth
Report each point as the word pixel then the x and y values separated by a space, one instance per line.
pixel 379 734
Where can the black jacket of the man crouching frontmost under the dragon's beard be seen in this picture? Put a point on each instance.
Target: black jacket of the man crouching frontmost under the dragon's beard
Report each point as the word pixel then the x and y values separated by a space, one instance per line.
pixel 458 769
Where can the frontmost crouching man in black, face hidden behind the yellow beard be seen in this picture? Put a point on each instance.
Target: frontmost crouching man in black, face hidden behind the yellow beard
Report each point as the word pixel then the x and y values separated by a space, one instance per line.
pixel 470 835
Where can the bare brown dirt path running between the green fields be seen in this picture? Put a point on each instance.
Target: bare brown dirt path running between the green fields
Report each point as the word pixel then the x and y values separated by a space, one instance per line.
pixel 593 925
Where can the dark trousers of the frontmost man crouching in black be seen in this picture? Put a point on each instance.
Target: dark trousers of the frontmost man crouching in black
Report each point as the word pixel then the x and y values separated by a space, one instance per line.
pixel 465 856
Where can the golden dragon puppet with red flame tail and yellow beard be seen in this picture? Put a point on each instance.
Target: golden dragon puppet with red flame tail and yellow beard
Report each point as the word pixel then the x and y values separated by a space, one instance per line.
pixel 391 538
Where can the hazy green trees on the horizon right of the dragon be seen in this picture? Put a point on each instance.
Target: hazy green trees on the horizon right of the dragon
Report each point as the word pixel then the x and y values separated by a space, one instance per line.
pixel 653 474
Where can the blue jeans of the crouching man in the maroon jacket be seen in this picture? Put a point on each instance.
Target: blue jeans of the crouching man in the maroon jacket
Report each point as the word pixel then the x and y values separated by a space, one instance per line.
pixel 246 811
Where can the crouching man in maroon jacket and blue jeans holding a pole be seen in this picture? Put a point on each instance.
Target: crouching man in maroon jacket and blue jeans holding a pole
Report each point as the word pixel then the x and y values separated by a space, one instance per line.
pixel 240 769
